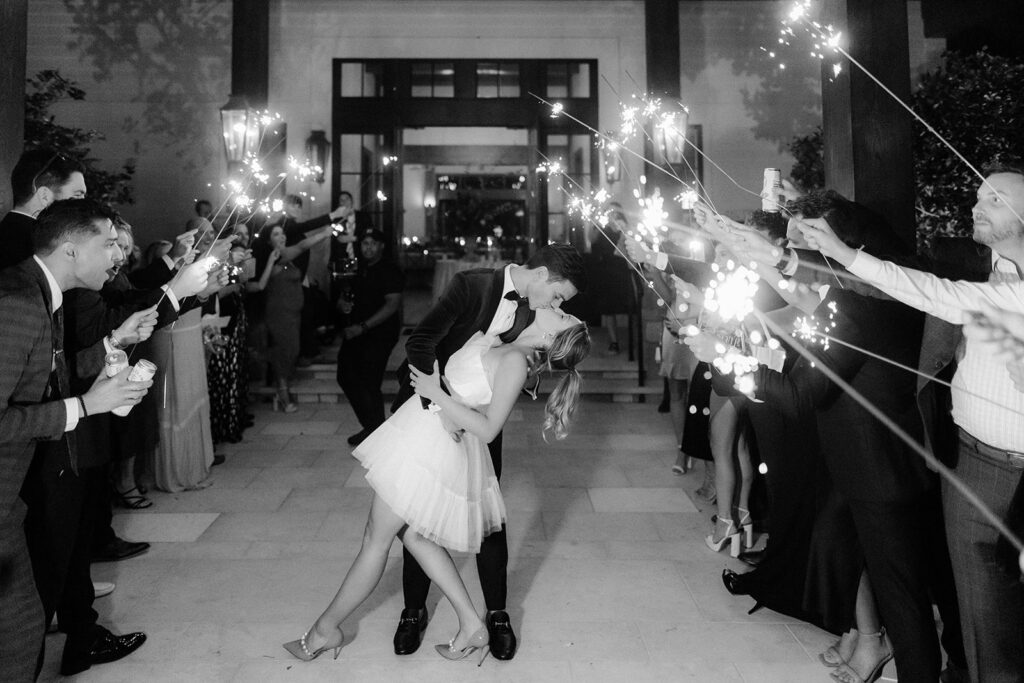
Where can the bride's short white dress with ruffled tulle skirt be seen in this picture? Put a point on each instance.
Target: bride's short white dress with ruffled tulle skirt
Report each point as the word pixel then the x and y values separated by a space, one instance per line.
pixel 446 491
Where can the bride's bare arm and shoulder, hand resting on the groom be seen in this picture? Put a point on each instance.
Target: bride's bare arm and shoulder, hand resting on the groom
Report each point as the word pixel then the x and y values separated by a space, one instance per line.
pixel 486 425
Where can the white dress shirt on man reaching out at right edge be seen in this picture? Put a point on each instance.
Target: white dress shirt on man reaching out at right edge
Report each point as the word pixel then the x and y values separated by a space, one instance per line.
pixel 986 402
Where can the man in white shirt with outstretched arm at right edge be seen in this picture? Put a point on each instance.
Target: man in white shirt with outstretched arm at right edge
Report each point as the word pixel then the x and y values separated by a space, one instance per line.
pixel 988 408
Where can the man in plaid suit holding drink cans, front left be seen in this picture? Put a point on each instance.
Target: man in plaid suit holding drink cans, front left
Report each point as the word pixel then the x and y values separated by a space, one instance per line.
pixel 76 246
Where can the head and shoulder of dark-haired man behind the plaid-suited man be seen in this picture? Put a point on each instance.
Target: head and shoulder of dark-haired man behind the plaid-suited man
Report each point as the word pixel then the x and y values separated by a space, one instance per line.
pixel 40 179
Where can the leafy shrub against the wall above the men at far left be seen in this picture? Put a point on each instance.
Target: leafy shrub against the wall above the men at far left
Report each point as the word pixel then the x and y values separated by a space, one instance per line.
pixel 41 131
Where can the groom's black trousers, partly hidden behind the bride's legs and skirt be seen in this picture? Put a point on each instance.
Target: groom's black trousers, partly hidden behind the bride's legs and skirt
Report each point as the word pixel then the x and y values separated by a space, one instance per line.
pixel 492 562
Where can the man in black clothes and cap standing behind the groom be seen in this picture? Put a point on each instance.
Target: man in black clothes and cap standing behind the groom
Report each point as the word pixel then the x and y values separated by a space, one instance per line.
pixel 373 323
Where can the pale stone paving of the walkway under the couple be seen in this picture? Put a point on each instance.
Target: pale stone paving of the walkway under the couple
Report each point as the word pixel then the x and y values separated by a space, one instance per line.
pixel 610 579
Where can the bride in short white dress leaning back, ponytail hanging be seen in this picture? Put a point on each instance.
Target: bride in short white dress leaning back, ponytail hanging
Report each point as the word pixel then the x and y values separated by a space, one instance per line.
pixel 435 493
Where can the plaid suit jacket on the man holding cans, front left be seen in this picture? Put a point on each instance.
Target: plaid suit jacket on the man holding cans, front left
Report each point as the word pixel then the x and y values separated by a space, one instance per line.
pixel 26 361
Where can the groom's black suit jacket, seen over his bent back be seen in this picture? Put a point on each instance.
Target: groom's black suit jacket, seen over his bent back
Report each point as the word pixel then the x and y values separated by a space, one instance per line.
pixel 466 308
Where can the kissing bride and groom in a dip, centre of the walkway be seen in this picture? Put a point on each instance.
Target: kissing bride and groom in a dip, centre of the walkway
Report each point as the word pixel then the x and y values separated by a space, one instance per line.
pixel 436 464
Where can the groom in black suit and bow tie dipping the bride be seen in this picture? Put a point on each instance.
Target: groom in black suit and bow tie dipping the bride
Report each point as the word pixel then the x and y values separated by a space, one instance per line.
pixel 496 303
